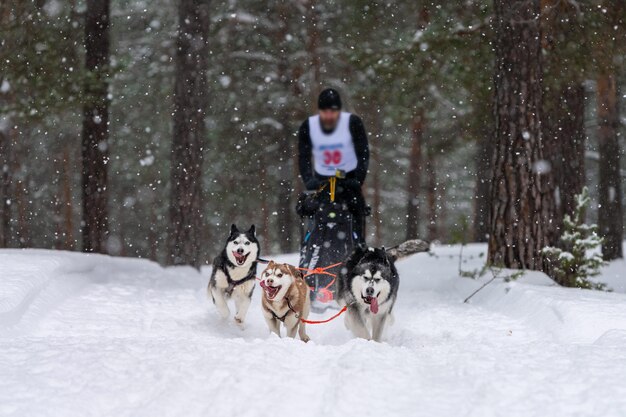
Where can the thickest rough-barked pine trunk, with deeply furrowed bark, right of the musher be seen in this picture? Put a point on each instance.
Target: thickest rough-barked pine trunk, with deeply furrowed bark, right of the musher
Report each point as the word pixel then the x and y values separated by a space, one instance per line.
pixel 520 203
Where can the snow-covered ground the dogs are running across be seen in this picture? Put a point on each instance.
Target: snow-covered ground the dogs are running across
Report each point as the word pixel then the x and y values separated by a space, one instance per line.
pixel 89 335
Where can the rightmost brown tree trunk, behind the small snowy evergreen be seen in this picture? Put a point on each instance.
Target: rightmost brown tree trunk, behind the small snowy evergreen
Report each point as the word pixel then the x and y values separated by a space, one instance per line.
pixel 610 220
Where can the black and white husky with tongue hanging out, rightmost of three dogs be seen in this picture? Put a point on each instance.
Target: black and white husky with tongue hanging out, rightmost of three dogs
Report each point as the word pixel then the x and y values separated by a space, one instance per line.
pixel 368 286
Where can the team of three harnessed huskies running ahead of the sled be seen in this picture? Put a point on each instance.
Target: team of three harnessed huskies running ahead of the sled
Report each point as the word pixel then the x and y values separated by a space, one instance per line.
pixel 367 286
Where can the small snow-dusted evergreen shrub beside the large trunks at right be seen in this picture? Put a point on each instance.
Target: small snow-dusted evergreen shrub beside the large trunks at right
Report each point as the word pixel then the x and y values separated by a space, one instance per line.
pixel 579 257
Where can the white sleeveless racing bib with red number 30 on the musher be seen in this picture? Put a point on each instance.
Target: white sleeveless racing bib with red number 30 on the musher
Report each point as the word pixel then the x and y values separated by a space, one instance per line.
pixel 335 150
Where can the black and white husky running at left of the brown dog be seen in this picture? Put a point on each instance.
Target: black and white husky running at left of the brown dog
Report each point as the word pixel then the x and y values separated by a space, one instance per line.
pixel 234 273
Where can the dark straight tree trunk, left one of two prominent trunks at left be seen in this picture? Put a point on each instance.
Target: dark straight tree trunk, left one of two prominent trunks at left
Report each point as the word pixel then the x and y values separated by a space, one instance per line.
pixel 96 128
